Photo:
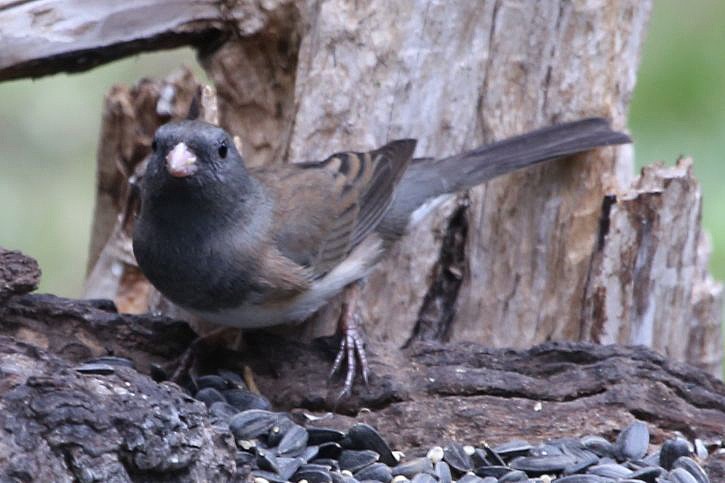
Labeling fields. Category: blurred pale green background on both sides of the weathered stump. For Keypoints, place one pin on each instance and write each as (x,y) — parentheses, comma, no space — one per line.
(49,130)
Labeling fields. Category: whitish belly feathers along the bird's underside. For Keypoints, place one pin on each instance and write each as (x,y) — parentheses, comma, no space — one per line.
(356,266)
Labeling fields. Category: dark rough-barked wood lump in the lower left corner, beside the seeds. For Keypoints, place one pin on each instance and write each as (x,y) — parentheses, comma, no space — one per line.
(61,425)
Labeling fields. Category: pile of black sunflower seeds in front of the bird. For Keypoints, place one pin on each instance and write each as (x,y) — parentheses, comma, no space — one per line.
(272,447)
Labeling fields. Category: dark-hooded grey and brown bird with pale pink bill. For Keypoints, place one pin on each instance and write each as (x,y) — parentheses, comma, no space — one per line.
(256,247)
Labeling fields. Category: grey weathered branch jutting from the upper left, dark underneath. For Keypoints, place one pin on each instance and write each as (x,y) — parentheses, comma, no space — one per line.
(41,37)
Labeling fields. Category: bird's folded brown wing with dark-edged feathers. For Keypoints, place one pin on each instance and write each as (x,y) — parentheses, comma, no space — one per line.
(324,209)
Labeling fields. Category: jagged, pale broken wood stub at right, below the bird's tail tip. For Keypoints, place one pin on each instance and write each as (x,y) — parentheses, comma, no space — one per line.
(648,281)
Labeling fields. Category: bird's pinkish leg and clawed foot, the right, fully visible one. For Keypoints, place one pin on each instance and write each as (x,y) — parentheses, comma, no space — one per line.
(352,346)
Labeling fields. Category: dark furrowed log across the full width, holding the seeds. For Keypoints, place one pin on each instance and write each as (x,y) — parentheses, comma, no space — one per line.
(60,421)
